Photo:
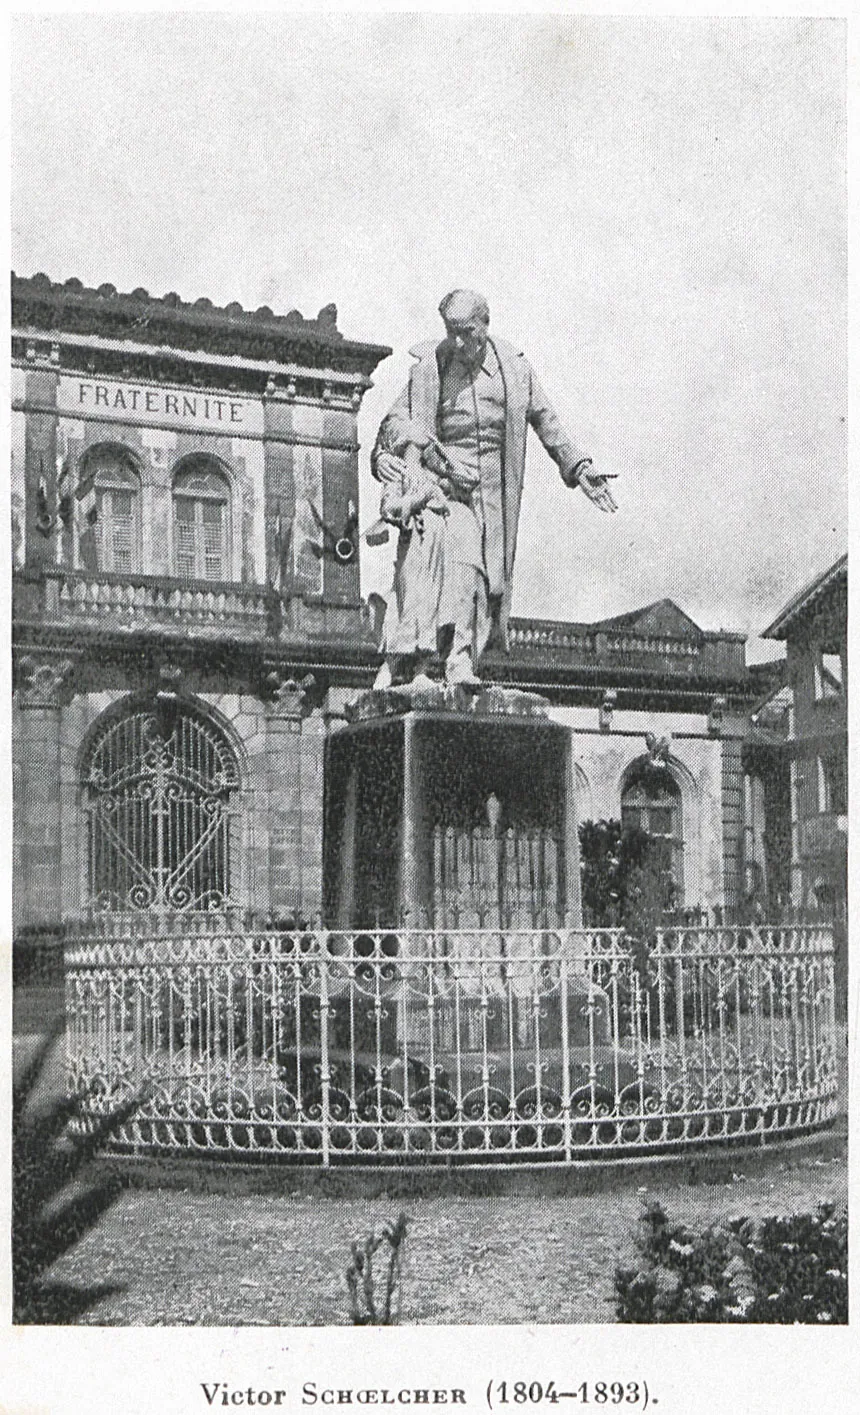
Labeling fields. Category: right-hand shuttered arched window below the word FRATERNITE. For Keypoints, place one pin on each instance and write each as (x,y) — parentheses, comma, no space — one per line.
(202,504)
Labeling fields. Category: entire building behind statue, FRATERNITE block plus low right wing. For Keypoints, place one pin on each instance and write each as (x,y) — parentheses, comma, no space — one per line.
(189,626)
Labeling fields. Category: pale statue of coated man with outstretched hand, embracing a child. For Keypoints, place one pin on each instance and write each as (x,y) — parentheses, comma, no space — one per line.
(452,456)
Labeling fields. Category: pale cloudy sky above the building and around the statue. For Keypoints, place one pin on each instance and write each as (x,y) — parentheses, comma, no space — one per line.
(654,210)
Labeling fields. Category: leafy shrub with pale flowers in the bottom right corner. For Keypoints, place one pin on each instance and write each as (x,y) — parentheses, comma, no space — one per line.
(781,1270)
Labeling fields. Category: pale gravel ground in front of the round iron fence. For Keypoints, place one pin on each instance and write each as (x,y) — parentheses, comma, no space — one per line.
(189,1259)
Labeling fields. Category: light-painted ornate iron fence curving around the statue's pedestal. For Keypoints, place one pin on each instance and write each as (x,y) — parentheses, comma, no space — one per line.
(470,1046)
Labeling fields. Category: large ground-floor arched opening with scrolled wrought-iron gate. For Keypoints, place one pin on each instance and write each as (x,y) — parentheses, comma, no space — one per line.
(159,786)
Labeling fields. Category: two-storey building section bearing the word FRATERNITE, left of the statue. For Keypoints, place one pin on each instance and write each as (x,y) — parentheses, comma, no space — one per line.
(176,473)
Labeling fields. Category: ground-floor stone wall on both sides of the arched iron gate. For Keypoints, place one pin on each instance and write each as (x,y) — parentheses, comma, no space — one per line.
(279,803)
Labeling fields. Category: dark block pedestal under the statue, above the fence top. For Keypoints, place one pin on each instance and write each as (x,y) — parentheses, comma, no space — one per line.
(451,813)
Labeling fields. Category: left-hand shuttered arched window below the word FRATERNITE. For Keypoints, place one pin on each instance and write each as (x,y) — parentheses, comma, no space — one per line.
(112,507)
